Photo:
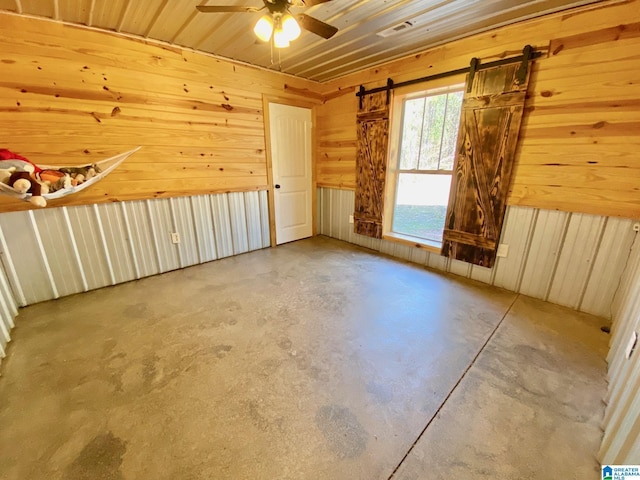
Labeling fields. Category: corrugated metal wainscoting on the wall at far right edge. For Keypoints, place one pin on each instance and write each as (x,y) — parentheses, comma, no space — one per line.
(621,442)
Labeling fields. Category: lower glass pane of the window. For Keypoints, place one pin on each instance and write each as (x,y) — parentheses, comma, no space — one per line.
(421,205)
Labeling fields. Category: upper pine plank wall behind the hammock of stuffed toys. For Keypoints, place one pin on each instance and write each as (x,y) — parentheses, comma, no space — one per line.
(71,95)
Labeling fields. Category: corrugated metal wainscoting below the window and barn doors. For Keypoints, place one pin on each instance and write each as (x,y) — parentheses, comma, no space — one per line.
(569,259)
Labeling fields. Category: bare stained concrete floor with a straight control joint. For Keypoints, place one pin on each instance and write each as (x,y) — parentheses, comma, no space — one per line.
(314,360)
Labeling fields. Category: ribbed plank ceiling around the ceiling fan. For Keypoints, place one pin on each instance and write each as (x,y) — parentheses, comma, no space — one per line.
(356,46)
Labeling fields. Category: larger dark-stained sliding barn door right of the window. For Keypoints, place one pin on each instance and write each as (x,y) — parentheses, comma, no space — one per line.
(489,126)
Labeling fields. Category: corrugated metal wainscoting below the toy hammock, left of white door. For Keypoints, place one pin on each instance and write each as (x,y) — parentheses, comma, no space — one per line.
(54,252)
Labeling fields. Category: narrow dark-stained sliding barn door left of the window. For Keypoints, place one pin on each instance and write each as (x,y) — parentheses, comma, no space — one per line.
(371,163)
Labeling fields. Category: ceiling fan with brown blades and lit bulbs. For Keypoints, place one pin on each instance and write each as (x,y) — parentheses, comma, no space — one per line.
(279,25)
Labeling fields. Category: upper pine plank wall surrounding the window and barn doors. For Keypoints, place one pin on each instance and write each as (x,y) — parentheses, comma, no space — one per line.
(580,139)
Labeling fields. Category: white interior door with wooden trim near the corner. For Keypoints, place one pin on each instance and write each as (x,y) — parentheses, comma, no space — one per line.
(290,129)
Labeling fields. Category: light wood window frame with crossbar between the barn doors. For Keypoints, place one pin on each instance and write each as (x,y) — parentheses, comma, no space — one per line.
(393,170)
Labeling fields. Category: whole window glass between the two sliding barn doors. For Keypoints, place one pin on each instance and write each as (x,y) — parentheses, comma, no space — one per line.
(424,163)
